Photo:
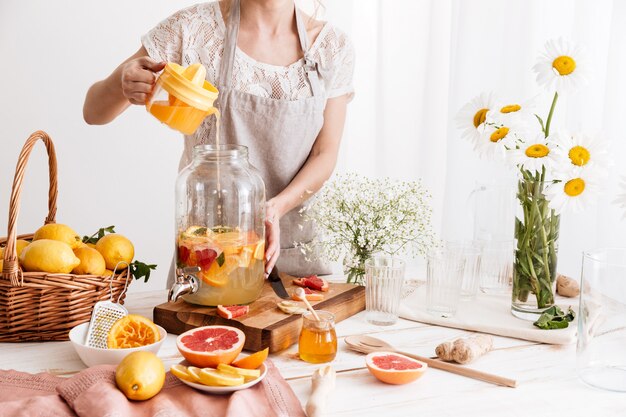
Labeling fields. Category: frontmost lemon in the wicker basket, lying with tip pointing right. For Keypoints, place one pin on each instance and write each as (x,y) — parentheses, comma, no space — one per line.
(46,255)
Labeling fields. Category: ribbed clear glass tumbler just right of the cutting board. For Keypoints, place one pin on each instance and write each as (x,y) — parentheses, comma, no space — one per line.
(384,277)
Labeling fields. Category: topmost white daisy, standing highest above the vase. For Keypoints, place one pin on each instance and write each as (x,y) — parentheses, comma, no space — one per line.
(562,67)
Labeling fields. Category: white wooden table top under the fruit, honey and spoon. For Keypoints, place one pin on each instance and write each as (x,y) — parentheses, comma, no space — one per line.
(547,382)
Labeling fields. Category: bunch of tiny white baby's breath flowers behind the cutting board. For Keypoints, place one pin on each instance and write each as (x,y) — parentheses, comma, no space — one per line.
(357,216)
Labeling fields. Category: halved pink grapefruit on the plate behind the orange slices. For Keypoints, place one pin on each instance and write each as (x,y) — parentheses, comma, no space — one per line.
(211,345)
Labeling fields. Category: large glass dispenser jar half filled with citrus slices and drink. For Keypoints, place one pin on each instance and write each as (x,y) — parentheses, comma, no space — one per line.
(220,212)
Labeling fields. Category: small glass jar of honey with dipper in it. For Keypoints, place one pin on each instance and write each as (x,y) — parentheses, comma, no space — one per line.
(318,340)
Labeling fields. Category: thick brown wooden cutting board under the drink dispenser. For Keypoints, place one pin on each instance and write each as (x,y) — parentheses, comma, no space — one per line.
(265,325)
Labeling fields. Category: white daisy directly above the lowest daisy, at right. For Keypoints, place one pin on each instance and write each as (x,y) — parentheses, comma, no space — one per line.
(582,150)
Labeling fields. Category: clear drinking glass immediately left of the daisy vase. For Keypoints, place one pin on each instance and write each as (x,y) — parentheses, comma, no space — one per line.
(496,266)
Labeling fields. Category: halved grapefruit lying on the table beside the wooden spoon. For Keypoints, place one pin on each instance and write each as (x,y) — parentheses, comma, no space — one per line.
(393,368)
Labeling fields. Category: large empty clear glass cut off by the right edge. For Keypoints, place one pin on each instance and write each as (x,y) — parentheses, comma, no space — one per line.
(601,350)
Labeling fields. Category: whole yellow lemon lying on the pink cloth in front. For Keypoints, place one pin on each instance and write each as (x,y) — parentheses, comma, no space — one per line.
(140,375)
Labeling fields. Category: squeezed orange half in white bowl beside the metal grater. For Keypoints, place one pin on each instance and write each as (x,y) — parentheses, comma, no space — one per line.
(132,331)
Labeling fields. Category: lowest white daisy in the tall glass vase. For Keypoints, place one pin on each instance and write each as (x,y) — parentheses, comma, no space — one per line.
(575,191)
